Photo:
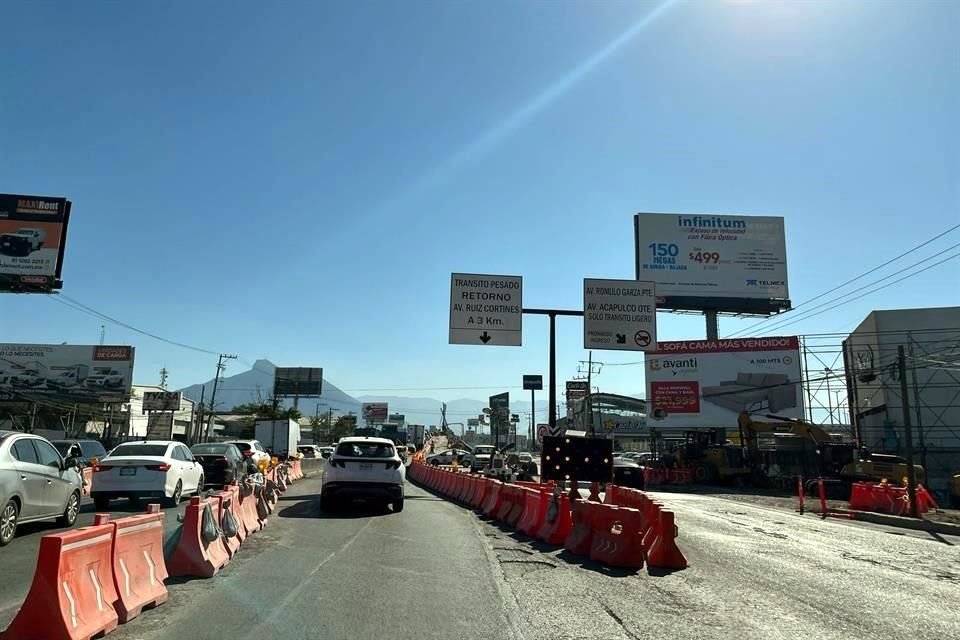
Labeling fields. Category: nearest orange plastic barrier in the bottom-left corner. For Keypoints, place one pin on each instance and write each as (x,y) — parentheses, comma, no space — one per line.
(72,593)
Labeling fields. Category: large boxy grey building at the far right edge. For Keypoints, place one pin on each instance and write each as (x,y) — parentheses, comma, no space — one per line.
(931,342)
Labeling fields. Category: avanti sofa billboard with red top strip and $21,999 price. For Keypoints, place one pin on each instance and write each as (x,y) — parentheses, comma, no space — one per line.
(707,383)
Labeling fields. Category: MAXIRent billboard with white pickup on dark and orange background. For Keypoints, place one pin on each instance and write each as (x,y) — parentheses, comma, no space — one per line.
(33,230)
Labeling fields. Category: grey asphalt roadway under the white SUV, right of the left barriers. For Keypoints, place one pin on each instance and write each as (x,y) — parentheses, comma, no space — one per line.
(437,570)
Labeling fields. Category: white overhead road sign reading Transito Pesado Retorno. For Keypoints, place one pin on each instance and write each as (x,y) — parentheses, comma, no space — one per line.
(486,309)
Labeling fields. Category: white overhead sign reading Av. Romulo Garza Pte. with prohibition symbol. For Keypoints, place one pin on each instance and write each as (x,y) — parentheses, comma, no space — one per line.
(619,314)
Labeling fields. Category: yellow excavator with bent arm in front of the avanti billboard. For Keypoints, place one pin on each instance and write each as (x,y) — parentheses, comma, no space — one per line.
(835,461)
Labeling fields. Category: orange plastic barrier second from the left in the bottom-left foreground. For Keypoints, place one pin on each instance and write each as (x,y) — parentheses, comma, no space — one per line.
(138,565)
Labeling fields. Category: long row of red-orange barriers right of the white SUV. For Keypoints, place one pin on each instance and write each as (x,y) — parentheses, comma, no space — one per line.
(627,531)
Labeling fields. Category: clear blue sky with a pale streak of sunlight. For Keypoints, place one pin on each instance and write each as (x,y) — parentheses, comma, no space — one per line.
(297,181)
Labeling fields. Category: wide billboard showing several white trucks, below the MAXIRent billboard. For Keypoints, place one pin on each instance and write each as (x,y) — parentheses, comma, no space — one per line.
(69,373)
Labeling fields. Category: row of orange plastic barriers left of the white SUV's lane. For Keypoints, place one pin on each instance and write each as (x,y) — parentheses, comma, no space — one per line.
(89,580)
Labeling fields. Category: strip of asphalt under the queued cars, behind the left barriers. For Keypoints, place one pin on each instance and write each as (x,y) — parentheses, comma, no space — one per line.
(19,558)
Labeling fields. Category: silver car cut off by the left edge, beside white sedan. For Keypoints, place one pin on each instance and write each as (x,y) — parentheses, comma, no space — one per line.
(35,483)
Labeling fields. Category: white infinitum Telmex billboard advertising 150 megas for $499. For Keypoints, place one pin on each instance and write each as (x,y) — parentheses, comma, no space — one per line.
(711,262)
